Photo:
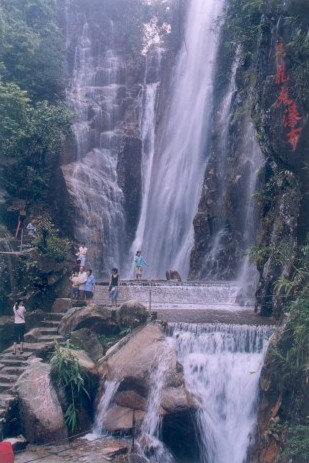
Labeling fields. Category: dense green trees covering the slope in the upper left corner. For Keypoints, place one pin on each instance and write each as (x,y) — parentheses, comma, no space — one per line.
(34,118)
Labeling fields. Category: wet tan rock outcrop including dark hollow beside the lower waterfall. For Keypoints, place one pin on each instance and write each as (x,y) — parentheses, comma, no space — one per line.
(134,366)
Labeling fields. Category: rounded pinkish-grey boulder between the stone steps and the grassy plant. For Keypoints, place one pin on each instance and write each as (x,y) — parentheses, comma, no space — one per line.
(40,411)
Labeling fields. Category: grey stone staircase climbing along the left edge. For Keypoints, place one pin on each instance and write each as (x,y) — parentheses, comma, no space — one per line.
(12,366)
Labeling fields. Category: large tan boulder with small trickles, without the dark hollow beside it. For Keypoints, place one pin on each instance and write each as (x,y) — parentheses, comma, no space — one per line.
(145,361)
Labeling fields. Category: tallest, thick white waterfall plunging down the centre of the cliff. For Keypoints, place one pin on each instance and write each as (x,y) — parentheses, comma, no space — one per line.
(166,234)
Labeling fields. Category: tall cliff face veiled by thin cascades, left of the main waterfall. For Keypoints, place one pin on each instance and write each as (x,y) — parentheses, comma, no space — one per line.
(108,64)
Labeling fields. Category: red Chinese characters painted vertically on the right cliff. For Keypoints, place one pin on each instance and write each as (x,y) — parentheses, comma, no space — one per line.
(291,116)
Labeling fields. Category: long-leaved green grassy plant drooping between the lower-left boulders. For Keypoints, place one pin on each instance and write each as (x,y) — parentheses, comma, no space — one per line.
(67,374)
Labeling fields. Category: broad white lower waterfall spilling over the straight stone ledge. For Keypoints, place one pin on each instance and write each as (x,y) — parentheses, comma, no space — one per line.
(222,365)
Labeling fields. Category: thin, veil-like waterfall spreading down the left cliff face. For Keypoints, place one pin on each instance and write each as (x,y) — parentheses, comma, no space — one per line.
(91,178)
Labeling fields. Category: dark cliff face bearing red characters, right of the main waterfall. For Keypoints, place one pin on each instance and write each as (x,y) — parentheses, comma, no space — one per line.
(261,77)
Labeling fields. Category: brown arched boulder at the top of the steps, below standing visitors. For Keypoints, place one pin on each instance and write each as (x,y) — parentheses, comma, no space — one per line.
(98,319)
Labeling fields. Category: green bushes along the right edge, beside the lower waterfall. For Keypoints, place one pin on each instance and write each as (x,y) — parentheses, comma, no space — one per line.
(292,358)
